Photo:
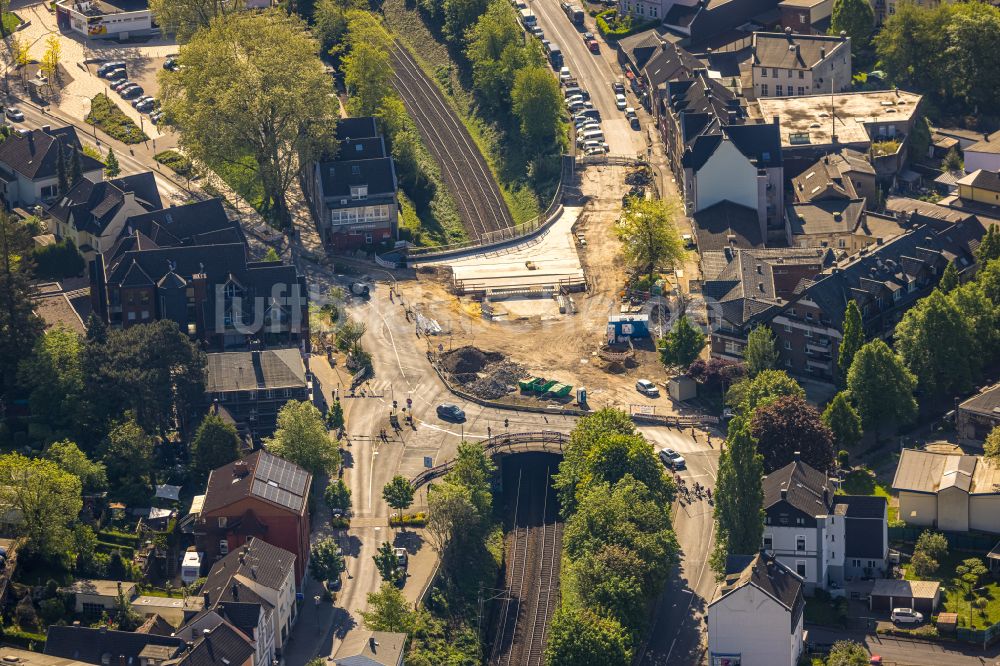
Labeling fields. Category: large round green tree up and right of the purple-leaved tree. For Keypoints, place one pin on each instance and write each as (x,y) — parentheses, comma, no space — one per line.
(880,386)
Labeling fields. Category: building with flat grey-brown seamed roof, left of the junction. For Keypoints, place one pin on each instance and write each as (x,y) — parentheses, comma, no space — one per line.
(254,385)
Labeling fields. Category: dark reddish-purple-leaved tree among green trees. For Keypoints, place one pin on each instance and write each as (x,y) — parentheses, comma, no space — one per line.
(789,425)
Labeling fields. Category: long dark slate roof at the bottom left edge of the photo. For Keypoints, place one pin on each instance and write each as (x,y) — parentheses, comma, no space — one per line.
(90,645)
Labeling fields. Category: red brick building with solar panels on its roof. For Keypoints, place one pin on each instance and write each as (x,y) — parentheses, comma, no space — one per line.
(262,497)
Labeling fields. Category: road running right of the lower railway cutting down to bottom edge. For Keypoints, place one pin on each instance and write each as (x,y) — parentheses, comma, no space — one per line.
(676,634)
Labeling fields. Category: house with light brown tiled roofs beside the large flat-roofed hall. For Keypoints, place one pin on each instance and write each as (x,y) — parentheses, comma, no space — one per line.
(843,175)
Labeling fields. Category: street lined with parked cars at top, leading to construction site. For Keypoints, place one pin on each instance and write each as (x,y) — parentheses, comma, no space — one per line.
(595,72)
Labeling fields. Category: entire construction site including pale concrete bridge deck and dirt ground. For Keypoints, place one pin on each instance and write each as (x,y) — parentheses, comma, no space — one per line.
(552,310)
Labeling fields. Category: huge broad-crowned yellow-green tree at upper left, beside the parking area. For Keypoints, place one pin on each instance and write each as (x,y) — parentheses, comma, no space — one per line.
(253,94)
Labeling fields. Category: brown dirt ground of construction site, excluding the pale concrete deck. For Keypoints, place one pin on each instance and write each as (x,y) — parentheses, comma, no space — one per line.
(529,337)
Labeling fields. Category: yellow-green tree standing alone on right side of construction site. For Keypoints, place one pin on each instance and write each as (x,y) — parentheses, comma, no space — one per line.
(648,235)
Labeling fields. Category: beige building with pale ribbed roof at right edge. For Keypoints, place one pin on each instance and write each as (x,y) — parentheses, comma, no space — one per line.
(951,492)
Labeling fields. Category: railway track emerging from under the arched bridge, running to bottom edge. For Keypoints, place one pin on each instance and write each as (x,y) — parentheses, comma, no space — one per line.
(532,578)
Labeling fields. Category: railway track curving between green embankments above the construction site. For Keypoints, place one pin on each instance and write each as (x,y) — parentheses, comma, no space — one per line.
(463,167)
